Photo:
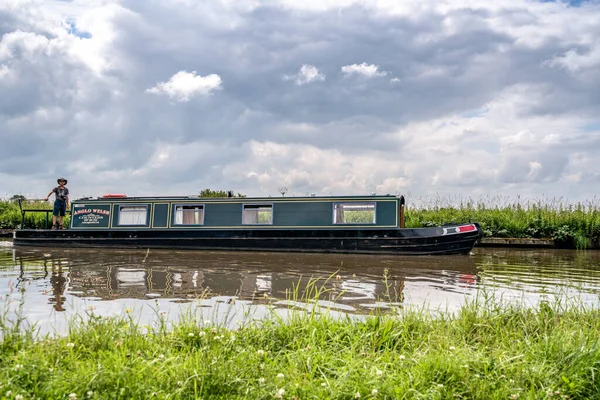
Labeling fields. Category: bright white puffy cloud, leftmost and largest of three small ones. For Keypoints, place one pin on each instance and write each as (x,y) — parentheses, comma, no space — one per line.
(184,85)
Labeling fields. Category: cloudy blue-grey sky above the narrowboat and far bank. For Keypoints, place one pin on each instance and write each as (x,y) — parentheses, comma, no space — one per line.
(427,98)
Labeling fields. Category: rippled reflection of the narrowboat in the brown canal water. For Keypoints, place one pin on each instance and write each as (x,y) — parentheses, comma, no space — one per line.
(352,283)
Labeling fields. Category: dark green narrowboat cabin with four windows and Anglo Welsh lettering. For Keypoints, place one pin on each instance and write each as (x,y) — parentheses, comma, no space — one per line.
(191,212)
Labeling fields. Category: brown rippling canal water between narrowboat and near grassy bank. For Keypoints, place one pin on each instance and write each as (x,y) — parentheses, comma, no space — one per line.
(51,286)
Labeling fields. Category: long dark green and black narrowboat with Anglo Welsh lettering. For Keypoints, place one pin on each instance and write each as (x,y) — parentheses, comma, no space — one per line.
(344,224)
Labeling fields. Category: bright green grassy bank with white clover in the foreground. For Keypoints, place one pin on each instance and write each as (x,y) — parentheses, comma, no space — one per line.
(484,351)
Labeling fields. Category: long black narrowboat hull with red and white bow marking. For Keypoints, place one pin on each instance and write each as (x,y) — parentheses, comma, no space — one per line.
(418,241)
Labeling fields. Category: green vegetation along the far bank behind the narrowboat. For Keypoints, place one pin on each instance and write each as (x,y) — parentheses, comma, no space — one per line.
(570,224)
